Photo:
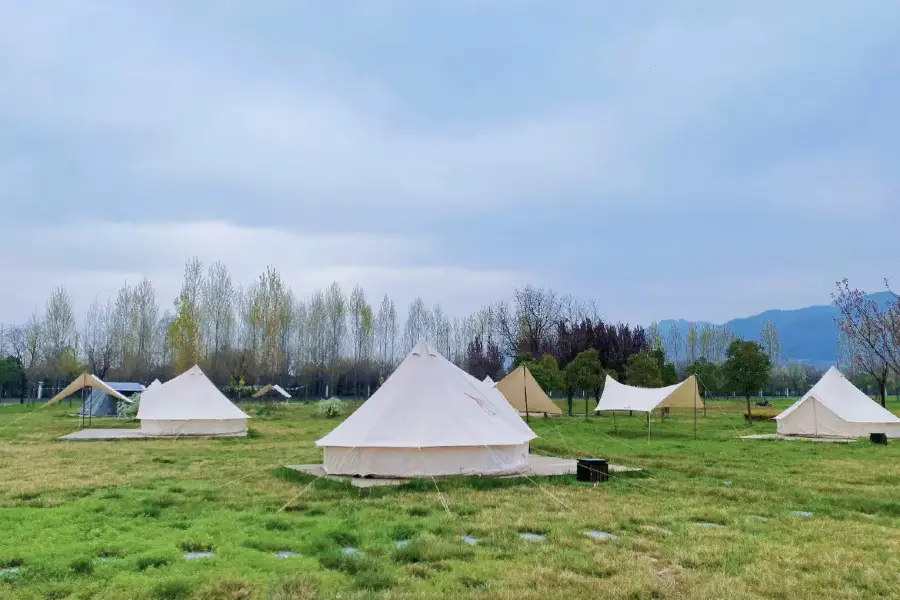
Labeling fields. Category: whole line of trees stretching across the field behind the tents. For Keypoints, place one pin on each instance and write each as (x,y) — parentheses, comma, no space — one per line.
(345,344)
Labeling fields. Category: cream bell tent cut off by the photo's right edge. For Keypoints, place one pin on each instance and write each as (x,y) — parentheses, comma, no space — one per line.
(834,407)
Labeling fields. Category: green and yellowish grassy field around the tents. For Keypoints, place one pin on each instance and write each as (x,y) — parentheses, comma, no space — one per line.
(113,520)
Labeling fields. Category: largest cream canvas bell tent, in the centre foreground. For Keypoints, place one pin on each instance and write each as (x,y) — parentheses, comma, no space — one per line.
(429,418)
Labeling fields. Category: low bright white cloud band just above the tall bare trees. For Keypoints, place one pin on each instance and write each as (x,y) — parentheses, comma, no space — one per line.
(93,260)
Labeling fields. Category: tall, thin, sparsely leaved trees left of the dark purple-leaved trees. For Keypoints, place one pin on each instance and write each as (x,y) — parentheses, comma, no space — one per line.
(265,332)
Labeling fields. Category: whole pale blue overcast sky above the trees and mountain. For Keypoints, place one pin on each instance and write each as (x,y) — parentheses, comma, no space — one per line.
(703,160)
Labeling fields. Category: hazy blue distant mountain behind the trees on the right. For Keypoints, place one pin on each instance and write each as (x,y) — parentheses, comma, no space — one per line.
(806,334)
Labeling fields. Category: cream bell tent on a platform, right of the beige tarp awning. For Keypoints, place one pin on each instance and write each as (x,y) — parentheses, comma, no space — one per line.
(189,404)
